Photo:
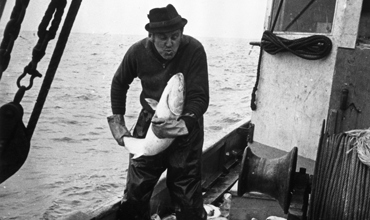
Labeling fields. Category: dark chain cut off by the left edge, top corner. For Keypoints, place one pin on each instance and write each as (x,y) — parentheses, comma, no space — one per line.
(11,33)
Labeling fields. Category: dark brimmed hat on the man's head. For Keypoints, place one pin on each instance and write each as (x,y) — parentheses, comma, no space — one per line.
(164,20)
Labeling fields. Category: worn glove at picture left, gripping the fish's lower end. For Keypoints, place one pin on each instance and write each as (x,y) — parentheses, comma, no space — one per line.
(118,128)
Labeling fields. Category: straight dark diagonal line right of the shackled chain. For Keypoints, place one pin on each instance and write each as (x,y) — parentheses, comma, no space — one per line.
(53,66)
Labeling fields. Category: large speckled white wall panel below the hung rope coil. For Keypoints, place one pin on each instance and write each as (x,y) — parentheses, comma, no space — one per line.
(292,101)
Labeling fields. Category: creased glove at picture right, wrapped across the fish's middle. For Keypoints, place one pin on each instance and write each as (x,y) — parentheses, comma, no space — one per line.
(168,128)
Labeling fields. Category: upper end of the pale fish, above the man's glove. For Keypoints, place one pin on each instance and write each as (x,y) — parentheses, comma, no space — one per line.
(176,96)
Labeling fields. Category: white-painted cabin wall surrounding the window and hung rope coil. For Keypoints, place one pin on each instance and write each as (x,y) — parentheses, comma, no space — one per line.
(294,94)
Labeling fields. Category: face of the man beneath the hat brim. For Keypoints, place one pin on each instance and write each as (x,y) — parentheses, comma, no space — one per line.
(168,43)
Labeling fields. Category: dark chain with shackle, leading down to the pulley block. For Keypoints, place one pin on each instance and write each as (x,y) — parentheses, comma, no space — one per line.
(56,8)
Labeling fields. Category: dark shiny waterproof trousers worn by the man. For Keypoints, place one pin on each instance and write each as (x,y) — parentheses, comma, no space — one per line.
(183,163)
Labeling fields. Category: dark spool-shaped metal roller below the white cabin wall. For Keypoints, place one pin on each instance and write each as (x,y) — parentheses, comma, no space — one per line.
(272,177)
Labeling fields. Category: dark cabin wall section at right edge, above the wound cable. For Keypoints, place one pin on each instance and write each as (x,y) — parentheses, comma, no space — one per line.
(350,111)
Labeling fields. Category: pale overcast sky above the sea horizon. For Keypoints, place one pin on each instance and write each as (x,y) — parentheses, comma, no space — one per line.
(206,18)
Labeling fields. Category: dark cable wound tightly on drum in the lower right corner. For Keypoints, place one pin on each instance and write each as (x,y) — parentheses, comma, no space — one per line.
(341,183)
